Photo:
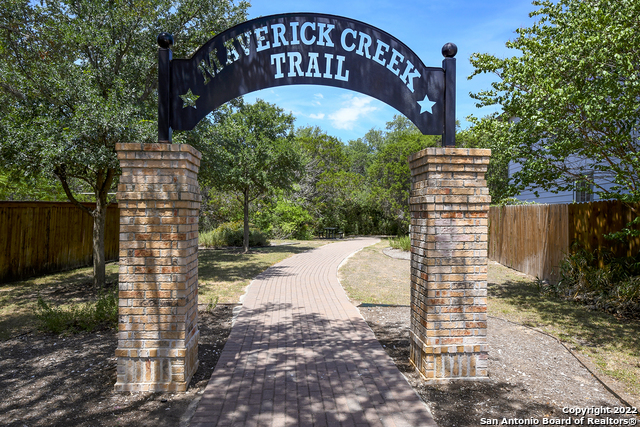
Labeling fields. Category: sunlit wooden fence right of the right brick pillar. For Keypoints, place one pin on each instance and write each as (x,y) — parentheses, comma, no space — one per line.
(534,238)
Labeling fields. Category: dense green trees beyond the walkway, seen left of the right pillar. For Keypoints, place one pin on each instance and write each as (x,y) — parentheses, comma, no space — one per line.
(362,187)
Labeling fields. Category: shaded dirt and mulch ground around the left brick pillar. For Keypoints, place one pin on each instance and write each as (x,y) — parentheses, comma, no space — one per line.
(67,381)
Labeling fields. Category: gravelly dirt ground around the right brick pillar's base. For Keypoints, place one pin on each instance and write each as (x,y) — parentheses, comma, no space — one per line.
(531,375)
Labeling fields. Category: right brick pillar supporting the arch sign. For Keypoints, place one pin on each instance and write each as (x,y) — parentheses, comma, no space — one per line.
(449,216)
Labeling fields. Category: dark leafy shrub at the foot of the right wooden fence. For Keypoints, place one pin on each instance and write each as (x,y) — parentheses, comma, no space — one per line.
(613,286)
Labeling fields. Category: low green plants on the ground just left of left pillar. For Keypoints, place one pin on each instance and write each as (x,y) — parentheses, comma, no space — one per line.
(79,317)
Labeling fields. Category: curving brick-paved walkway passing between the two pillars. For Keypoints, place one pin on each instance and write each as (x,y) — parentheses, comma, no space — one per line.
(300,354)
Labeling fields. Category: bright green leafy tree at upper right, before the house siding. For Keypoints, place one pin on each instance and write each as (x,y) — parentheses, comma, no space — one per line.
(570,98)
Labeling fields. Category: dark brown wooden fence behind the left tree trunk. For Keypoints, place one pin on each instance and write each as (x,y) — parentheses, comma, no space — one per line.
(46,237)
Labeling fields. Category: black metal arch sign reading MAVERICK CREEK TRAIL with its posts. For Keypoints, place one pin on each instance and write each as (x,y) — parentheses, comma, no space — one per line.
(305,48)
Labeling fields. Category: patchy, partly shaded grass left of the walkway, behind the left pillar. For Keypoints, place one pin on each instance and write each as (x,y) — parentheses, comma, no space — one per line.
(69,300)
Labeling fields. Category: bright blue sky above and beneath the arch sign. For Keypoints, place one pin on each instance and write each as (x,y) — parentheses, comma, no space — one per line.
(424,26)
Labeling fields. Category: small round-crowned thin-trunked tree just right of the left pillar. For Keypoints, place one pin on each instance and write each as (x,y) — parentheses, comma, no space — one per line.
(250,151)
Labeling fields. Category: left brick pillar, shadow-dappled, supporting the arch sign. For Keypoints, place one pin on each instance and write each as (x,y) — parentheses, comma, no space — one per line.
(159,201)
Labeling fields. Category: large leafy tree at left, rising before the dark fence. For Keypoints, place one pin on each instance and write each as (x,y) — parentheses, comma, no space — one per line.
(77,77)
